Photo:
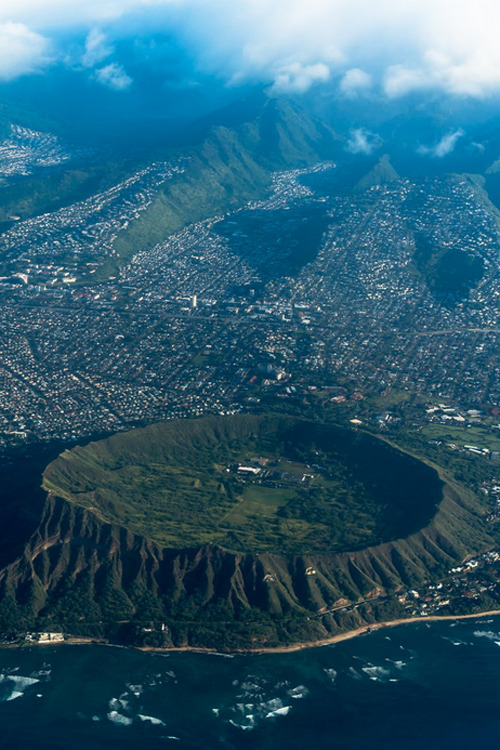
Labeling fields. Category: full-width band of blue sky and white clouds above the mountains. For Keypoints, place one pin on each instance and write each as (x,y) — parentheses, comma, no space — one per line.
(354,48)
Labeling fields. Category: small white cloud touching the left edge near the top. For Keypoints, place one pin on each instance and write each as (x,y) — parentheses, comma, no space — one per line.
(21,51)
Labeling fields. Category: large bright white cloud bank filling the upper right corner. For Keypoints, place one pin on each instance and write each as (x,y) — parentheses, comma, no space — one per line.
(400,46)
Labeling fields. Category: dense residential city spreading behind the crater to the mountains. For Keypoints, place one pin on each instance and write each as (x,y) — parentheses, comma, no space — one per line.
(194,324)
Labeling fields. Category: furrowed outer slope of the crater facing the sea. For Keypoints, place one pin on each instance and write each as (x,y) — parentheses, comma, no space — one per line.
(94,578)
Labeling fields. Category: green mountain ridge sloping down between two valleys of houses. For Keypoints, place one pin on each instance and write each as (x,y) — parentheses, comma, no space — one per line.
(232,166)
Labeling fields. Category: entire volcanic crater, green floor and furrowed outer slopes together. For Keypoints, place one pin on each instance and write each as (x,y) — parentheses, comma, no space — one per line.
(275,568)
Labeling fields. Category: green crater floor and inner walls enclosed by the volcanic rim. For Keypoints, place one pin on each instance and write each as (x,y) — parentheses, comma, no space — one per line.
(251,484)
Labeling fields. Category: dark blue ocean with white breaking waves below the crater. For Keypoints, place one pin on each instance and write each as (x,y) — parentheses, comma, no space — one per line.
(432,686)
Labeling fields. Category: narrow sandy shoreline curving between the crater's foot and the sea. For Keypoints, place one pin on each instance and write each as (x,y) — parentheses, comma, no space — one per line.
(348,635)
